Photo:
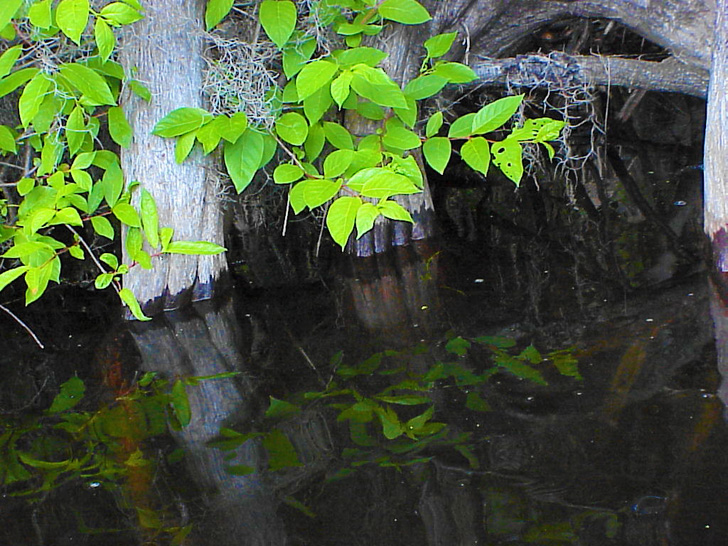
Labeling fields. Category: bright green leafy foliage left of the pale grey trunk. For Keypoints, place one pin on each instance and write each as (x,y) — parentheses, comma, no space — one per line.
(73,182)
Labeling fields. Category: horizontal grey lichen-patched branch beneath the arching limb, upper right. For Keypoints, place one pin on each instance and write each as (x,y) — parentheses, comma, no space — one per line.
(559,70)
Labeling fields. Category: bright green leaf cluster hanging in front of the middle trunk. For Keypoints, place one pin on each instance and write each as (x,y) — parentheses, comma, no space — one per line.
(356,177)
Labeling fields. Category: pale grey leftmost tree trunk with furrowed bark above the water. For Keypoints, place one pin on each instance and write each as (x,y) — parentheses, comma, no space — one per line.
(164,51)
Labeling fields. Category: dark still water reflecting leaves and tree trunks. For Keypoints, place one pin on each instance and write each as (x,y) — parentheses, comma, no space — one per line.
(624,444)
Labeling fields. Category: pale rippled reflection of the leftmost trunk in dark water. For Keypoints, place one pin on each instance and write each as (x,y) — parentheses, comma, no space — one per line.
(242,509)
